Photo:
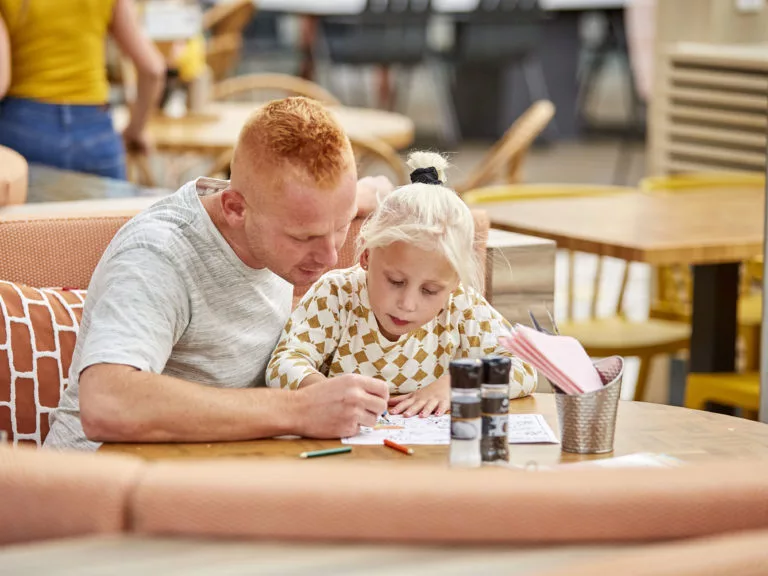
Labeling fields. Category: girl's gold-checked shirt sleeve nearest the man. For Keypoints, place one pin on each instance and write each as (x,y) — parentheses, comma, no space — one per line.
(310,337)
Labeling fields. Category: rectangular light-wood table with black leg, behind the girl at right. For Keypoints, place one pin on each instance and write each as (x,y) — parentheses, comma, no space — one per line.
(712,229)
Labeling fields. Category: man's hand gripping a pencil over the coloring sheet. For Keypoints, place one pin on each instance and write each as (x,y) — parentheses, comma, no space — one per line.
(337,407)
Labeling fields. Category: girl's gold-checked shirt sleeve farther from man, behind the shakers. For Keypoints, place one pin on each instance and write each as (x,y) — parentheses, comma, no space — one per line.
(480,326)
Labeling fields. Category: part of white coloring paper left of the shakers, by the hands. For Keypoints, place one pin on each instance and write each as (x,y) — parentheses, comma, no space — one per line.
(434,430)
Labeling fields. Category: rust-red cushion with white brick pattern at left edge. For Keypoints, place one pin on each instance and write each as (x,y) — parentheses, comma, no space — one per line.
(38,332)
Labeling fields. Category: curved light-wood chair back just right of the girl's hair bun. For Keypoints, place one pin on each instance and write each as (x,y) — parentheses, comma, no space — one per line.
(507,155)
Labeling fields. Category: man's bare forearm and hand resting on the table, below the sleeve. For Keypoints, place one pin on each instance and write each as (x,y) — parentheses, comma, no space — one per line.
(122,404)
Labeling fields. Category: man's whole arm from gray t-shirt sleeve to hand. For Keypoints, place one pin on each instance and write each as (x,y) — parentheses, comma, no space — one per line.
(137,308)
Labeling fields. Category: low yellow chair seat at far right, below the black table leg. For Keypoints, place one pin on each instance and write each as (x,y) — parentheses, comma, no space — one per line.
(738,390)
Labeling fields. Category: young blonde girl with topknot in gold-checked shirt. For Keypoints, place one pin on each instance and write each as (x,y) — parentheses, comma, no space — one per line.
(410,307)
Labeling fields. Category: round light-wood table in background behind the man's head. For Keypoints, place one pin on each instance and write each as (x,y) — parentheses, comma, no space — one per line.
(216,129)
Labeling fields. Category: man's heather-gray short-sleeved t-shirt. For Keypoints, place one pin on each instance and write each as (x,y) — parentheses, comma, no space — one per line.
(170,296)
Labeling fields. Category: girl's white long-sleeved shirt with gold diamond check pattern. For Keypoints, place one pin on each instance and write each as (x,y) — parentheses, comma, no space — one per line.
(334,329)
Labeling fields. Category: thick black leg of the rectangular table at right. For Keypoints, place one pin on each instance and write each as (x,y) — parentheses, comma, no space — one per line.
(715,300)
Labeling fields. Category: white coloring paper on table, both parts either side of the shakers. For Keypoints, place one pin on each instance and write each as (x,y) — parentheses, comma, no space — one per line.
(436,430)
